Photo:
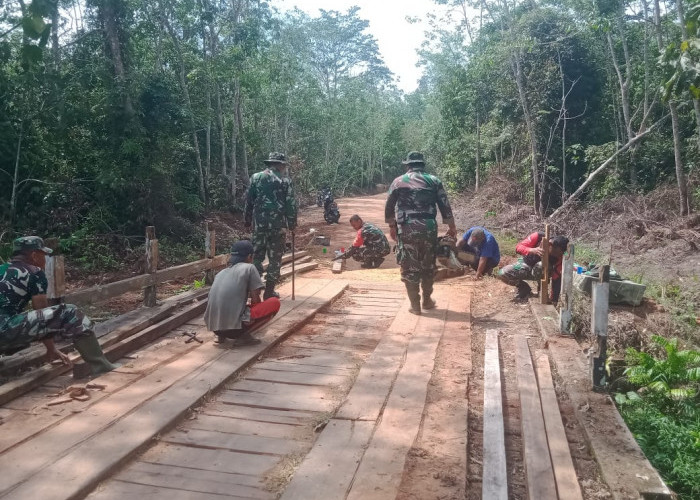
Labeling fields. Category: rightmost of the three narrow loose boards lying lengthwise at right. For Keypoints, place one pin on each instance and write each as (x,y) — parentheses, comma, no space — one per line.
(564,471)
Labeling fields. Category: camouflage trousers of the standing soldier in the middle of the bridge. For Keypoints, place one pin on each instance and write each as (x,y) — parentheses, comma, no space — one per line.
(417,250)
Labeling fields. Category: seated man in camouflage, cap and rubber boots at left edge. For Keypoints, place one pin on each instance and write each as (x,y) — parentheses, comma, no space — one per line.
(22,280)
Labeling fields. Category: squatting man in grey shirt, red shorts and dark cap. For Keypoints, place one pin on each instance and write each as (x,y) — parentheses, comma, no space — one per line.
(228,313)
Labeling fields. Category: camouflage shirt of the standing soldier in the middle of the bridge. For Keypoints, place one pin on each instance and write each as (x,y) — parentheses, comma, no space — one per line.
(414,196)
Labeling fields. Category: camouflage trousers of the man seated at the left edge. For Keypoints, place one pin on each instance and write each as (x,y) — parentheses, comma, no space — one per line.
(64,321)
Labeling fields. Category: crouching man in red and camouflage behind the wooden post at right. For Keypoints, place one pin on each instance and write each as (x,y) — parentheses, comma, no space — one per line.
(529,266)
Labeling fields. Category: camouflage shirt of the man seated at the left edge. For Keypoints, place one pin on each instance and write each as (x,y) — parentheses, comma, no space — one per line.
(19,282)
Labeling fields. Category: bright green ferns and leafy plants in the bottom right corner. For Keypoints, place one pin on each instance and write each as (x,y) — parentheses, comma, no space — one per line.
(663,412)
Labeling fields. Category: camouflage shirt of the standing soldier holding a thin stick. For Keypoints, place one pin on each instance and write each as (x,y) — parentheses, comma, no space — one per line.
(270,203)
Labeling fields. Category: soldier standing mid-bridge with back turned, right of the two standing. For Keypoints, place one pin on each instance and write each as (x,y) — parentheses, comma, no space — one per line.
(411,212)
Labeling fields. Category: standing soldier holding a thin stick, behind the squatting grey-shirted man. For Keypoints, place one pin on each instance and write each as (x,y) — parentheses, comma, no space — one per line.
(271,208)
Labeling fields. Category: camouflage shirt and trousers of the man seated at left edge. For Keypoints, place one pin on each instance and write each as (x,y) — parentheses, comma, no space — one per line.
(19,282)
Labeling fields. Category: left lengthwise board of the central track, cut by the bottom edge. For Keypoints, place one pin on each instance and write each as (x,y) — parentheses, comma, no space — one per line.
(328,470)
